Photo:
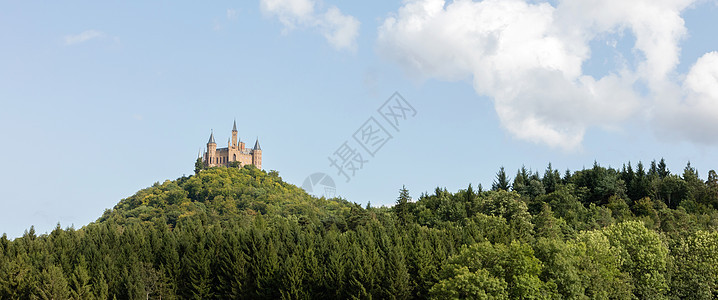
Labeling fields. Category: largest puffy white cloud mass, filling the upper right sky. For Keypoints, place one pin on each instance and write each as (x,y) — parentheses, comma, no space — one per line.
(528,57)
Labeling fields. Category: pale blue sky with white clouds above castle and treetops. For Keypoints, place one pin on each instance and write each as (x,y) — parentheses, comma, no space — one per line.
(101,99)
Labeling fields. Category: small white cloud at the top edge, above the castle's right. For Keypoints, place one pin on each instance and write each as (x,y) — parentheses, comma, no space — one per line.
(340,30)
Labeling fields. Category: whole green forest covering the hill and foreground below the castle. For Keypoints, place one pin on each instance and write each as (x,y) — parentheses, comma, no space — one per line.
(636,232)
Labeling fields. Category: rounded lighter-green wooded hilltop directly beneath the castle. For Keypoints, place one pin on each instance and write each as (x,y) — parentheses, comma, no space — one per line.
(224,194)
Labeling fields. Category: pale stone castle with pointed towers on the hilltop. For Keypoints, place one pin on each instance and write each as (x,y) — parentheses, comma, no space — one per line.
(235,151)
